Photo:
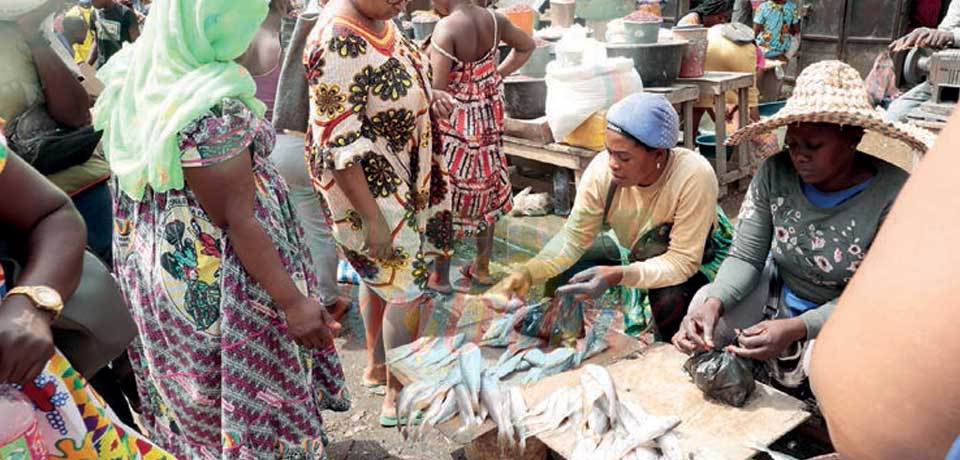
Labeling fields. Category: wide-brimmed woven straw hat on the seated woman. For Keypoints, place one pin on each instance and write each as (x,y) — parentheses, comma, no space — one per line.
(833,92)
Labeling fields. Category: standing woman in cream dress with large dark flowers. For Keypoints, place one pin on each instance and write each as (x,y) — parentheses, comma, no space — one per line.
(369,149)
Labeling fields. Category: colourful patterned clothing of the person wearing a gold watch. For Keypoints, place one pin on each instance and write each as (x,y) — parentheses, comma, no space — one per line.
(73,422)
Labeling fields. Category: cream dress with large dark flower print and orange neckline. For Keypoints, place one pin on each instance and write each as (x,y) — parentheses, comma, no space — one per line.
(369,106)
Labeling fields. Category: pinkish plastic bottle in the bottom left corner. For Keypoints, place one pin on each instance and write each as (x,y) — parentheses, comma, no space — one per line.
(19,432)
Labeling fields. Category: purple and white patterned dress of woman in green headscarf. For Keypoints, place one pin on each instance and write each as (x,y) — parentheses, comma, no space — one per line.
(218,375)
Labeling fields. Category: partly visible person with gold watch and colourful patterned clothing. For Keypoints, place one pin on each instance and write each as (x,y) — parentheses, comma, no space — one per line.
(72,420)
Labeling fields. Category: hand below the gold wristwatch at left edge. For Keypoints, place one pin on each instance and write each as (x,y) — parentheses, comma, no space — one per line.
(26,343)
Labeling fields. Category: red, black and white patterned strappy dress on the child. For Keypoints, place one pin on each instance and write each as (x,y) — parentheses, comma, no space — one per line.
(471,142)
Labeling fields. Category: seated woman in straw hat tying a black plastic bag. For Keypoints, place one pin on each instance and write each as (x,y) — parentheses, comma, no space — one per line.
(815,209)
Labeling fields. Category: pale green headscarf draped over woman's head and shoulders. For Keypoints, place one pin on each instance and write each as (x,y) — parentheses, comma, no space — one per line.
(180,67)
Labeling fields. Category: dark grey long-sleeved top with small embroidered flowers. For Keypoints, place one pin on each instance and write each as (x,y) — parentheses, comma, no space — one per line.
(816,250)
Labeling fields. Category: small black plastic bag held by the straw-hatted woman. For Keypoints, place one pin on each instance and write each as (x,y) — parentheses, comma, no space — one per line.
(722,375)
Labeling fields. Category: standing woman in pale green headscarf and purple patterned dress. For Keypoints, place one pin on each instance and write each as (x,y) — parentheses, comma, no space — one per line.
(235,356)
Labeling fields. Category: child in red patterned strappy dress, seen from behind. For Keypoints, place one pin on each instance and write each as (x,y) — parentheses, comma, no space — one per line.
(463,52)
